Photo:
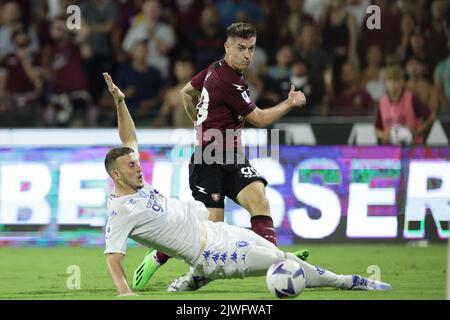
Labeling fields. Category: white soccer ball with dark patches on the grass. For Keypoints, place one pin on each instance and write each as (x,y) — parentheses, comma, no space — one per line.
(286,279)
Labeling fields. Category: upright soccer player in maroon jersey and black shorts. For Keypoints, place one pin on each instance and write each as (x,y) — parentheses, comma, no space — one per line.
(217,101)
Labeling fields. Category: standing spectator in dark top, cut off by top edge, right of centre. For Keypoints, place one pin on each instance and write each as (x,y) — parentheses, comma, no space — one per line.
(339,34)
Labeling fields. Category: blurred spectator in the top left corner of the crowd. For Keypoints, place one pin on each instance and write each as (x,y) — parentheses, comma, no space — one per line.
(11,20)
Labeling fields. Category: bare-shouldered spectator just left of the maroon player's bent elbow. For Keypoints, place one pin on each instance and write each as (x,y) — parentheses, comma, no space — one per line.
(172,113)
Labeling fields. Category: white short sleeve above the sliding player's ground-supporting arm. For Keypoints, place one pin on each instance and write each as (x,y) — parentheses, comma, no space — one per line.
(117,231)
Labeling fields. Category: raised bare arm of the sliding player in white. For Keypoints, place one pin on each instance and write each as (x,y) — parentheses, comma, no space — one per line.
(127,130)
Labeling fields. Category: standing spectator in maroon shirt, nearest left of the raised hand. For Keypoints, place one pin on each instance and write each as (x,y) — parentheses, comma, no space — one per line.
(70,103)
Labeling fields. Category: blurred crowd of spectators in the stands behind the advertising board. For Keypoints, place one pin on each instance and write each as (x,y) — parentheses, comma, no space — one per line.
(51,75)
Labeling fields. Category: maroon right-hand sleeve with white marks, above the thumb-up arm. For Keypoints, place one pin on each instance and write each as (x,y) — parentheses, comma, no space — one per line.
(237,97)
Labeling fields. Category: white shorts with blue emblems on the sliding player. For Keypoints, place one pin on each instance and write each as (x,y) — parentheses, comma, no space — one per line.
(226,250)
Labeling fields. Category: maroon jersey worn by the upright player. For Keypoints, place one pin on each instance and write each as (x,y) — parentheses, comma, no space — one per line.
(223,104)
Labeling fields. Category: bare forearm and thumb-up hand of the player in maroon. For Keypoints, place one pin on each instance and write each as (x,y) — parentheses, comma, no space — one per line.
(262,118)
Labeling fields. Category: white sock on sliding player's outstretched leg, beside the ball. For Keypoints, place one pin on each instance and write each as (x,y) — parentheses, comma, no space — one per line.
(319,277)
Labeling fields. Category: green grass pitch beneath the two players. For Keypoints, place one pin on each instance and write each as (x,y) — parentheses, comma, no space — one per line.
(40,273)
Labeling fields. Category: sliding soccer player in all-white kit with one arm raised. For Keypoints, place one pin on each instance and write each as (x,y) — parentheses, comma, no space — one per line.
(214,250)
